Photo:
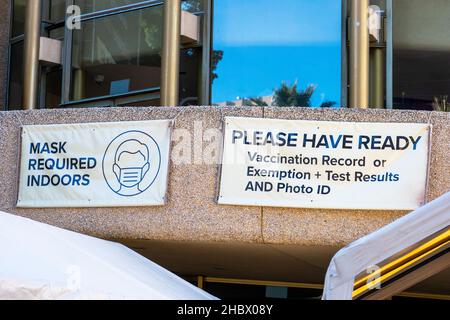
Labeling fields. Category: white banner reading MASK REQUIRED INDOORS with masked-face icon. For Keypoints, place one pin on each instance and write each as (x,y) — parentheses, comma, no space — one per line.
(94,165)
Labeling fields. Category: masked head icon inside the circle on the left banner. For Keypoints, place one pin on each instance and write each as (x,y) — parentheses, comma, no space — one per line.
(131,165)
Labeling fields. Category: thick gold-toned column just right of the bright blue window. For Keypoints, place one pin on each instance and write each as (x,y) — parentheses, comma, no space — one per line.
(359,54)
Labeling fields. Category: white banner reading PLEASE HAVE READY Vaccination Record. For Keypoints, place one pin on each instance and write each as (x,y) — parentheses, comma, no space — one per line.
(331,165)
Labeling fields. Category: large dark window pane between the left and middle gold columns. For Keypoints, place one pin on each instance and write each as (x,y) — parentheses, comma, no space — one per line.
(117,54)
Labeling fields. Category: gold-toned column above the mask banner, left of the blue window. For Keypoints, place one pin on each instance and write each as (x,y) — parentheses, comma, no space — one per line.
(171,53)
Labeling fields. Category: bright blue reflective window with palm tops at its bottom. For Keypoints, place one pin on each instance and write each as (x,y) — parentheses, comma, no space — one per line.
(284,52)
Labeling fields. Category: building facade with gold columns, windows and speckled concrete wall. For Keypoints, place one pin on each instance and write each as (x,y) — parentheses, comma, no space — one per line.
(72,61)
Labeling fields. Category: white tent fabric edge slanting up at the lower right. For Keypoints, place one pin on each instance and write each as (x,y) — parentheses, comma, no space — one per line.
(383,244)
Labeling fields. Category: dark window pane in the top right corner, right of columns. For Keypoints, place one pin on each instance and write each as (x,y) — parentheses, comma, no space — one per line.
(421,42)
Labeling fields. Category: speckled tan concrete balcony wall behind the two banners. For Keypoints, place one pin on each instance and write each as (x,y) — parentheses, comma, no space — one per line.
(191,213)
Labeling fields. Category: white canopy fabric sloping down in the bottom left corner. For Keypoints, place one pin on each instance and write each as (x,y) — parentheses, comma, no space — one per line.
(38,261)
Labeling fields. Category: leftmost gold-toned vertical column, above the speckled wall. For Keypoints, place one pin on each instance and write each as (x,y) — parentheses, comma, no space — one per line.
(31,53)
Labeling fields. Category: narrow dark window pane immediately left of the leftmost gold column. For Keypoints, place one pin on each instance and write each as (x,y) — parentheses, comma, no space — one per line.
(16,77)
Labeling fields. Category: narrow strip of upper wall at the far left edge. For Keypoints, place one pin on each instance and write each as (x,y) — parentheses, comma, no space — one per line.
(4,47)
